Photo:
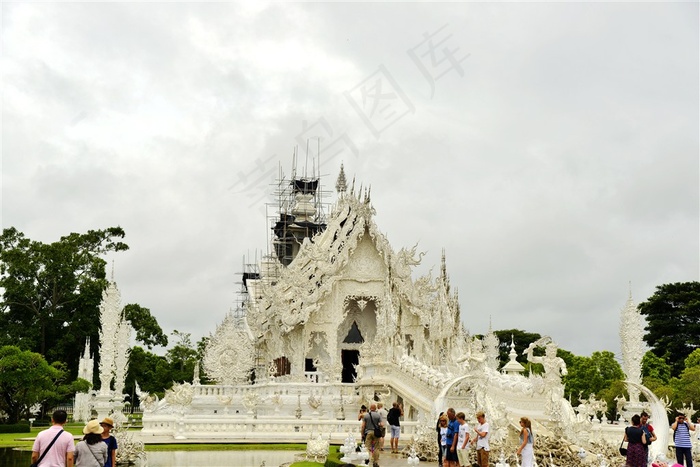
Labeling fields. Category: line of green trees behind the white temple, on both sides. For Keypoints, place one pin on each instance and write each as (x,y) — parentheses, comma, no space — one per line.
(51,294)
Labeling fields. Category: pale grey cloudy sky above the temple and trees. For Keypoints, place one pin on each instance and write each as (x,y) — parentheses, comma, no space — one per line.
(550,148)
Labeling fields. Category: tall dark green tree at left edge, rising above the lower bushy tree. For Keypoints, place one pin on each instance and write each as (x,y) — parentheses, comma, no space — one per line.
(51,292)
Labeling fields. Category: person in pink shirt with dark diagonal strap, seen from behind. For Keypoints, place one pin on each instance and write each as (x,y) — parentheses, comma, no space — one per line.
(54,446)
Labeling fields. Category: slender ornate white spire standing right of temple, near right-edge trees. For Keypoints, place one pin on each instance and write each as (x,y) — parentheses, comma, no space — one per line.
(631,333)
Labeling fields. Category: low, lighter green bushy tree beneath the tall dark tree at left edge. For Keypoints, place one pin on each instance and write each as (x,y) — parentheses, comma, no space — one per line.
(27,379)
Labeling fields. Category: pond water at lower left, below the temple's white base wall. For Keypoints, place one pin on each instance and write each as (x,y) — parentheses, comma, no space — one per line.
(14,458)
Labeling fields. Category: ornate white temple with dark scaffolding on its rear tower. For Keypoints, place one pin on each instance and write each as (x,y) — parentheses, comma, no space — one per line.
(334,319)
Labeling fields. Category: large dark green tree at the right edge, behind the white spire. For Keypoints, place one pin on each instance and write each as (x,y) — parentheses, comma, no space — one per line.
(673,322)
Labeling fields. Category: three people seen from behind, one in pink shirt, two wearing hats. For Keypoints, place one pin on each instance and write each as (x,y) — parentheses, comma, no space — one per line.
(54,446)
